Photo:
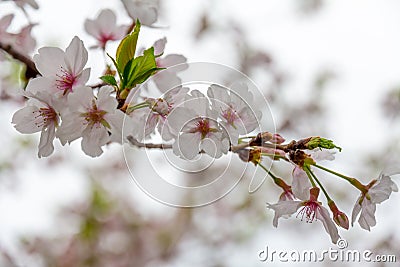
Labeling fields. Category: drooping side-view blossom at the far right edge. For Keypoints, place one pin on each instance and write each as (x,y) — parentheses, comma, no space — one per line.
(378,190)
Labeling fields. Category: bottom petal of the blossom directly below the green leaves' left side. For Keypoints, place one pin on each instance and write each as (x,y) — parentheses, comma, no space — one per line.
(93,139)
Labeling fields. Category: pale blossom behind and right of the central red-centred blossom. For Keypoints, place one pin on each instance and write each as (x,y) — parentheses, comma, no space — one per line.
(234,109)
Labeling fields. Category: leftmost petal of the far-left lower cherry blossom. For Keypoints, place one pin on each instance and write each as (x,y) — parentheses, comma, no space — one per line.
(24,120)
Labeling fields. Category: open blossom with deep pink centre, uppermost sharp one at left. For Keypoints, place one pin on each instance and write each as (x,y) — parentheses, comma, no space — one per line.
(61,71)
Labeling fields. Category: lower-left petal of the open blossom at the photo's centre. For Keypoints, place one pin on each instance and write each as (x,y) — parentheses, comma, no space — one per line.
(187,145)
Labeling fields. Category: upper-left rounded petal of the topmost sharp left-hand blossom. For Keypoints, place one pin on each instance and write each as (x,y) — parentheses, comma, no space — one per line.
(49,60)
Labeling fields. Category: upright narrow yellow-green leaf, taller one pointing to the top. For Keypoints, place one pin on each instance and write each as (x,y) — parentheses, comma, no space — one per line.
(127,48)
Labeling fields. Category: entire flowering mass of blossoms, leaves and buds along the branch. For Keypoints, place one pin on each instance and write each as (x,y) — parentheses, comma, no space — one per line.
(216,120)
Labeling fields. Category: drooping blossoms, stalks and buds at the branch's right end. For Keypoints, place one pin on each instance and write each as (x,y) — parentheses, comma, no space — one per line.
(302,196)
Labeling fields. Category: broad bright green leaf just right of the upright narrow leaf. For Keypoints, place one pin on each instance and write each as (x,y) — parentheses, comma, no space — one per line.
(139,69)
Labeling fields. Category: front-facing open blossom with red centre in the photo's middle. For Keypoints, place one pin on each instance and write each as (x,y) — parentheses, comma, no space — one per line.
(198,128)
